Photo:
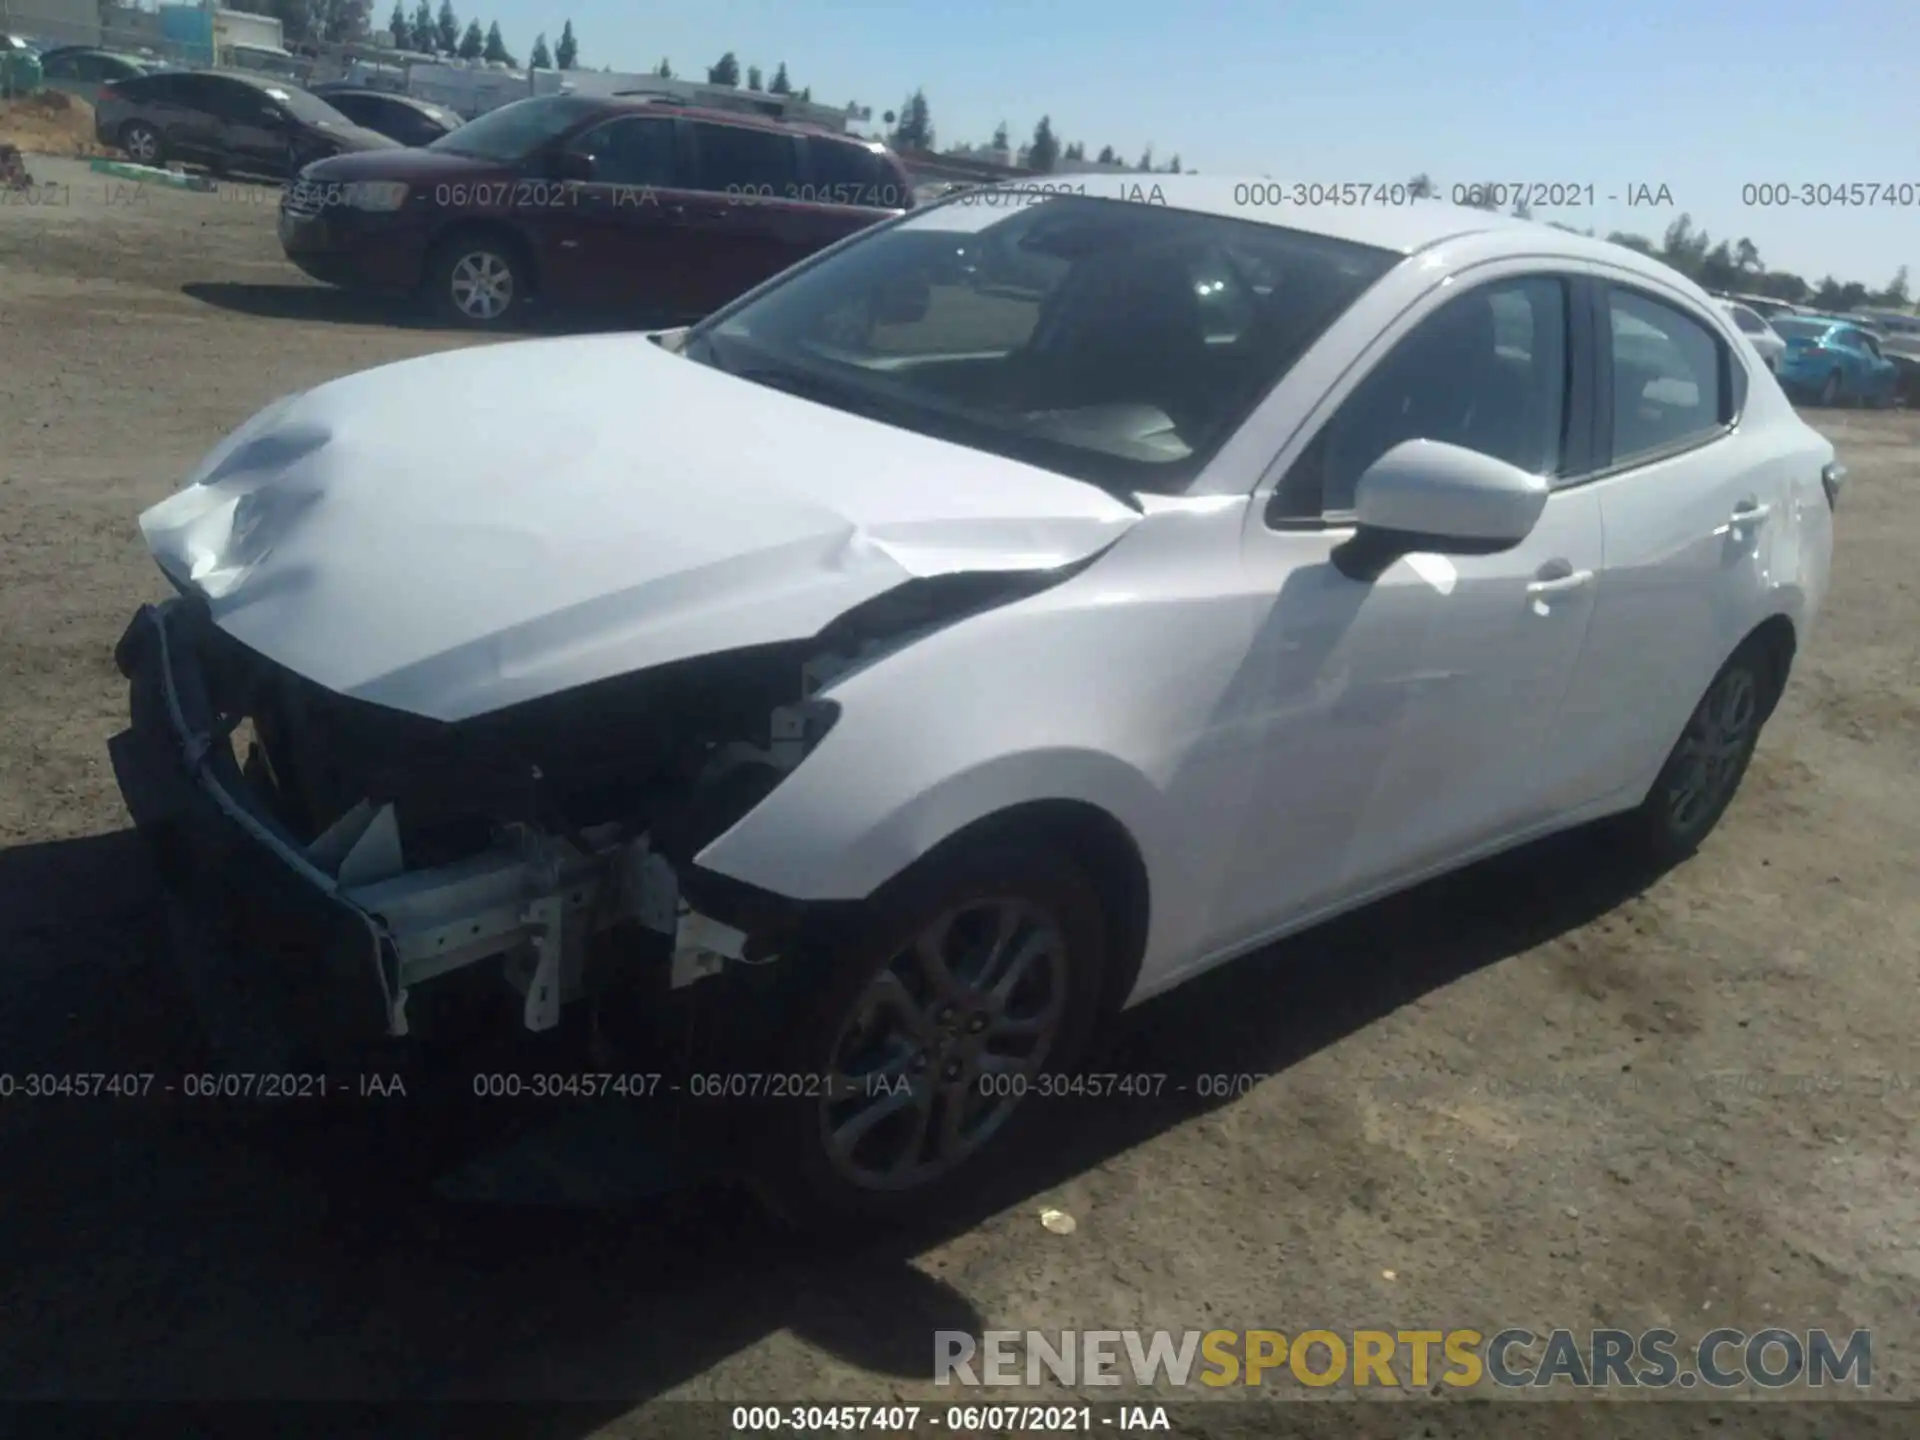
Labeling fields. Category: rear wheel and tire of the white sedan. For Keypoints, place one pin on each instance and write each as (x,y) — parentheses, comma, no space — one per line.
(1708,763)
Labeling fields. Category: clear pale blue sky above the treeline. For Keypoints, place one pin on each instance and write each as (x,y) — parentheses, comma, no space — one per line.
(1702,97)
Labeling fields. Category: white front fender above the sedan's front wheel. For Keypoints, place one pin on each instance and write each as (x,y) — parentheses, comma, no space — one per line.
(1115,690)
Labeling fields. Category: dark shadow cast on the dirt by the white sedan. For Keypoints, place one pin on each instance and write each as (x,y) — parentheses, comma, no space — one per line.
(162,1249)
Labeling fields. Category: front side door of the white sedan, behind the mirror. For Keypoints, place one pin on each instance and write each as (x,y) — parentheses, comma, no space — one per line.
(1404,717)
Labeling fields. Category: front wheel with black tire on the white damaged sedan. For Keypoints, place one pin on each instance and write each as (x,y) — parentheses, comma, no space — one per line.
(869,976)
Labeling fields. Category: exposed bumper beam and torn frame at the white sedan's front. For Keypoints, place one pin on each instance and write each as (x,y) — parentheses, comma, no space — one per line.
(327,940)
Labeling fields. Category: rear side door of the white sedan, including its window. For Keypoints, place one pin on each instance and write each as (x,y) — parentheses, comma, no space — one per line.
(1689,504)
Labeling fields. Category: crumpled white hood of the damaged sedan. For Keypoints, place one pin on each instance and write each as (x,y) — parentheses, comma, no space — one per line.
(468,531)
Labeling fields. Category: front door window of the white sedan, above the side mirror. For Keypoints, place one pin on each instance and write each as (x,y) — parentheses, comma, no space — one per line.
(1487,372)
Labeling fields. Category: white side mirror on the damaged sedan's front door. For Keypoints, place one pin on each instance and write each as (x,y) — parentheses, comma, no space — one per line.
(1429,496)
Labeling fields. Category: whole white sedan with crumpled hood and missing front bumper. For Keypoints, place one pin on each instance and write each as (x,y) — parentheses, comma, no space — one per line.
(990,623)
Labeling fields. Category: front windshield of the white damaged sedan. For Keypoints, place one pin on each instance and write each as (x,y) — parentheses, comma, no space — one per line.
(1111,341)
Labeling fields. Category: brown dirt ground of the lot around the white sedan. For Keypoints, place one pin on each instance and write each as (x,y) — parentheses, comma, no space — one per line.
(1531,1095)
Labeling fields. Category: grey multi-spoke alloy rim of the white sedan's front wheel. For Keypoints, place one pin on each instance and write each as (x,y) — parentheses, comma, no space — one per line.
(944,1044)
